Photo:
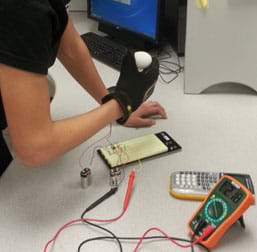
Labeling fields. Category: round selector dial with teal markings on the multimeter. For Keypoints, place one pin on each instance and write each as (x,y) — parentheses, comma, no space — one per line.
(216,210)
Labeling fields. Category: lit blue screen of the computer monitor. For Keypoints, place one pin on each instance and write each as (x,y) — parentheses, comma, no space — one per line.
(140,16)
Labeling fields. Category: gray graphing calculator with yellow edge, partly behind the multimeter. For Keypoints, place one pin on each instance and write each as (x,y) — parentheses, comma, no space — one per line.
(195,185)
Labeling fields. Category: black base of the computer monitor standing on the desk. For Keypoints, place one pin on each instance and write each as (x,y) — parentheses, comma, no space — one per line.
(126,38)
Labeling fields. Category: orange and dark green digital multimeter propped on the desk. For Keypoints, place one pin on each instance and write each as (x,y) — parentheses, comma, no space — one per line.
(223,206)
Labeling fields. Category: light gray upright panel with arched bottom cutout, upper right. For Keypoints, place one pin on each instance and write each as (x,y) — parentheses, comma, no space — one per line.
(221,44)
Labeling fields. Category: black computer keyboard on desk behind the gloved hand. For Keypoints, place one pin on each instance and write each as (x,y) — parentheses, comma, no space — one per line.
(104,49)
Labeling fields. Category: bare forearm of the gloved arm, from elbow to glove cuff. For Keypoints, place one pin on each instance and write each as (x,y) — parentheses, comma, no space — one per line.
(61,136)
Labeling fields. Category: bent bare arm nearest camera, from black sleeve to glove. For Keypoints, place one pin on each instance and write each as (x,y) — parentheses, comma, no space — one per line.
(37,139)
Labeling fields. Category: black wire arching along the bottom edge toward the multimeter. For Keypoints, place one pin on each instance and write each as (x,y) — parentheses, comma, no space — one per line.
(136,238)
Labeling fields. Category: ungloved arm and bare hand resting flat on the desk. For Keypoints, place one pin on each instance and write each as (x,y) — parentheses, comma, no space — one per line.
(76,58)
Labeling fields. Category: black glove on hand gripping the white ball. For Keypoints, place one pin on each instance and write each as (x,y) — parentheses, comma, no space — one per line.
(133,86)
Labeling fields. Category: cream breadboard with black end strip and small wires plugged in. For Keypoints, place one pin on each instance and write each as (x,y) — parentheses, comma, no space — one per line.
(138,148)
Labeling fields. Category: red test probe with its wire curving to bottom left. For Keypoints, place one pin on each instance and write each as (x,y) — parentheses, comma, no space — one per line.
(125,205)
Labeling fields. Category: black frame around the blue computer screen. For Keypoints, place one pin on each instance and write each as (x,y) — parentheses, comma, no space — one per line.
(131,32)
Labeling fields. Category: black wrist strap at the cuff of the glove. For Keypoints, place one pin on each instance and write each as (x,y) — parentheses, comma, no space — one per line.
(124,103)
